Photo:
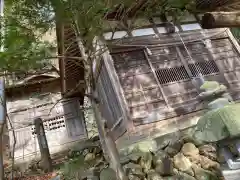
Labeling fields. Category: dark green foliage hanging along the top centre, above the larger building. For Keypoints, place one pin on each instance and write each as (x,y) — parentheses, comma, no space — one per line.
(88,15)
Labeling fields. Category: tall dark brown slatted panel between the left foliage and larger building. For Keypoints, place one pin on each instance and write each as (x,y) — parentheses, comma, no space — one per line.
(71,66)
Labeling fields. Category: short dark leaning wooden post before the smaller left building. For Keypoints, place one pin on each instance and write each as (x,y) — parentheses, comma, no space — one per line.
(43,146)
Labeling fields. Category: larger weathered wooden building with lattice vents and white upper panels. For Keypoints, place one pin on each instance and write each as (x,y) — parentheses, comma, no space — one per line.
(148,76)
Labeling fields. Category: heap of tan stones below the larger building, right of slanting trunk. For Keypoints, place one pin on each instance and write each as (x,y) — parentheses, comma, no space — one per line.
(178,158)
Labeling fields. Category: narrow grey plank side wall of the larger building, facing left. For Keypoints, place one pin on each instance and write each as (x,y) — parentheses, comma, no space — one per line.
(110,102)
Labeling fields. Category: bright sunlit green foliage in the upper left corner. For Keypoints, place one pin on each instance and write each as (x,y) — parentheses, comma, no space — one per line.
(25,23)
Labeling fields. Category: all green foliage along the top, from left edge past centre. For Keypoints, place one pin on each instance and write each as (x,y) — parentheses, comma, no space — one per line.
(26,21)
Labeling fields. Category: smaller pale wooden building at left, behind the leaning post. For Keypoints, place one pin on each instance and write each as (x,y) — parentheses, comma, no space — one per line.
(40,96)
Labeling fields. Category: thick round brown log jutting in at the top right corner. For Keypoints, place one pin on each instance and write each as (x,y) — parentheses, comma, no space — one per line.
(220,19)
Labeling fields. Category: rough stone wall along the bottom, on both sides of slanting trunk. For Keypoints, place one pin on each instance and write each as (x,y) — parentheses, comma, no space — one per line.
(175,156)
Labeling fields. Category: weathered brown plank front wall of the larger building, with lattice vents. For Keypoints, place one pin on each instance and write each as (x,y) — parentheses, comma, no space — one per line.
(145,94)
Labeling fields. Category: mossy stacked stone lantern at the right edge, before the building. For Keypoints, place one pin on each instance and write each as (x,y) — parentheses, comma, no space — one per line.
(221,124)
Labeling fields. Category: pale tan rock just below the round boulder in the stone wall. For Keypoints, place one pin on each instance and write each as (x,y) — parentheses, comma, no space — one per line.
(183,164)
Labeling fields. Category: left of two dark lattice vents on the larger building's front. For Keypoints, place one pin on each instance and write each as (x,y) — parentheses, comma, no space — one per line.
(168,75)
